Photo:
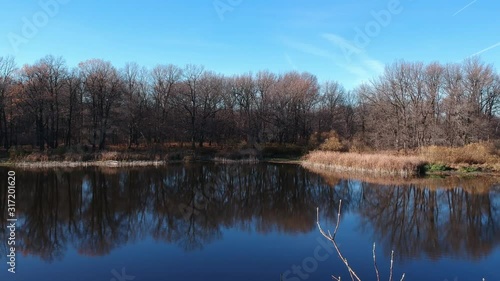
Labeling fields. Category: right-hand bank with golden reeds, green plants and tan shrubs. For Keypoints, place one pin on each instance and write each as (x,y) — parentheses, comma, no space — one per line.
(473,158)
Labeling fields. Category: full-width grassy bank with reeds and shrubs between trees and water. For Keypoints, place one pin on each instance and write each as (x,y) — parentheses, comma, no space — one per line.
(472,158)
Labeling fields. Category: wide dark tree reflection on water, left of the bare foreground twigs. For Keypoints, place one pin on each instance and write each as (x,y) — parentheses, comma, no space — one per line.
(96,210)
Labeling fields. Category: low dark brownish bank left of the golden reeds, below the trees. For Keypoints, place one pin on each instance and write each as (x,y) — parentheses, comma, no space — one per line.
(118,156)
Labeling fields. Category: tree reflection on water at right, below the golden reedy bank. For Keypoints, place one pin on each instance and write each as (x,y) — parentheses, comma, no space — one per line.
(443,222)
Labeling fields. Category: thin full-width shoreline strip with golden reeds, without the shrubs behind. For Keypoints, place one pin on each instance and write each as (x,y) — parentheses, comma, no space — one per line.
(380,164)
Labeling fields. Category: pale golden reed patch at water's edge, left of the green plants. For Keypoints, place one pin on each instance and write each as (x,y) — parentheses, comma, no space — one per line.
(380,164)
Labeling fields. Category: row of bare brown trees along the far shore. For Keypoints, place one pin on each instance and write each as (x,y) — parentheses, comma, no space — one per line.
(48,104)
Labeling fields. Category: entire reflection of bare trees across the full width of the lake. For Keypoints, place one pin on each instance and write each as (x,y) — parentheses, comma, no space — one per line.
(96,210)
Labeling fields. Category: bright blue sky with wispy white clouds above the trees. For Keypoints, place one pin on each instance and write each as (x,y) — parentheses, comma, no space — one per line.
(342,40)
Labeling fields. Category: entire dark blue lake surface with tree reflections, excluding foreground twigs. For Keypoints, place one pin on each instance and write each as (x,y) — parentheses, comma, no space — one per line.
(242,222)
